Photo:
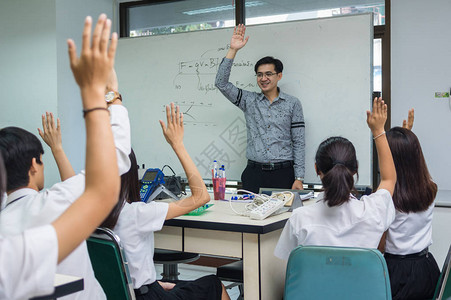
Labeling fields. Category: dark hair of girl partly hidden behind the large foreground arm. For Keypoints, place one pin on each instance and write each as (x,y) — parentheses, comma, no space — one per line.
(130,187)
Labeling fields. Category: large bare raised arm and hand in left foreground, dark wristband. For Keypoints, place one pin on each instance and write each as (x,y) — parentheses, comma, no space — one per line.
(91,71)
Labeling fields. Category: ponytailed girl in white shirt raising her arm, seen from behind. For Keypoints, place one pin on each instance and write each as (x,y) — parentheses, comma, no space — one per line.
(338,218)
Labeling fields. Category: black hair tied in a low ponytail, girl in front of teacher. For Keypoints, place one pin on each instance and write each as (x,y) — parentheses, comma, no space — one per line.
(337,161)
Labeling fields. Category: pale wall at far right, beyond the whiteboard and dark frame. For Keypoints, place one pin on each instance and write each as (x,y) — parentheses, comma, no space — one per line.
(421,65)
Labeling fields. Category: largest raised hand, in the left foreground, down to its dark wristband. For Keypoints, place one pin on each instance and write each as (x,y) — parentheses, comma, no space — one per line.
(94,66)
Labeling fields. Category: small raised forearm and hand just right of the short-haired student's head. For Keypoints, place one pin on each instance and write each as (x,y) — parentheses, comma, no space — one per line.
(51,135)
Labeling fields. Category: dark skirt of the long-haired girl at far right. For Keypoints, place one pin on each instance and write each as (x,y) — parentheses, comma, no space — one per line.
(412,277)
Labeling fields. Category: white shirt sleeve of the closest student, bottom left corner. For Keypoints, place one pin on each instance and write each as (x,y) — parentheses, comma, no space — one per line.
(28,263)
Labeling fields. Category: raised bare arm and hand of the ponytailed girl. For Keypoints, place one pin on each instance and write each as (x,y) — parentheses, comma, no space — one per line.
(376,121)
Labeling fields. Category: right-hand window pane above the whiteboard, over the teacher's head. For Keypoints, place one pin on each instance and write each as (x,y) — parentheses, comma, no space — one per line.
(270,11)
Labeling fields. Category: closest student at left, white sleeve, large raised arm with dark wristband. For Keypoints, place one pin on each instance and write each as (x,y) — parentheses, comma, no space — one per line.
(28,260)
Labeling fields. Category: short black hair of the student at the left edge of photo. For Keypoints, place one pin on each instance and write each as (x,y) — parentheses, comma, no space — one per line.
(18,148)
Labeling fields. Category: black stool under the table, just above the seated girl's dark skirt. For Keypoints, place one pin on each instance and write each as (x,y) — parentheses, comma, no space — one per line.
(170,260)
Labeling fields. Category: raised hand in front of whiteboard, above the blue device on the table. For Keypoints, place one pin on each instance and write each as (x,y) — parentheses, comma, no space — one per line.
(173,132)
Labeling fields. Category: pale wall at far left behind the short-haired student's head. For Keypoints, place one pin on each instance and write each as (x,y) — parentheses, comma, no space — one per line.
(28,72)
